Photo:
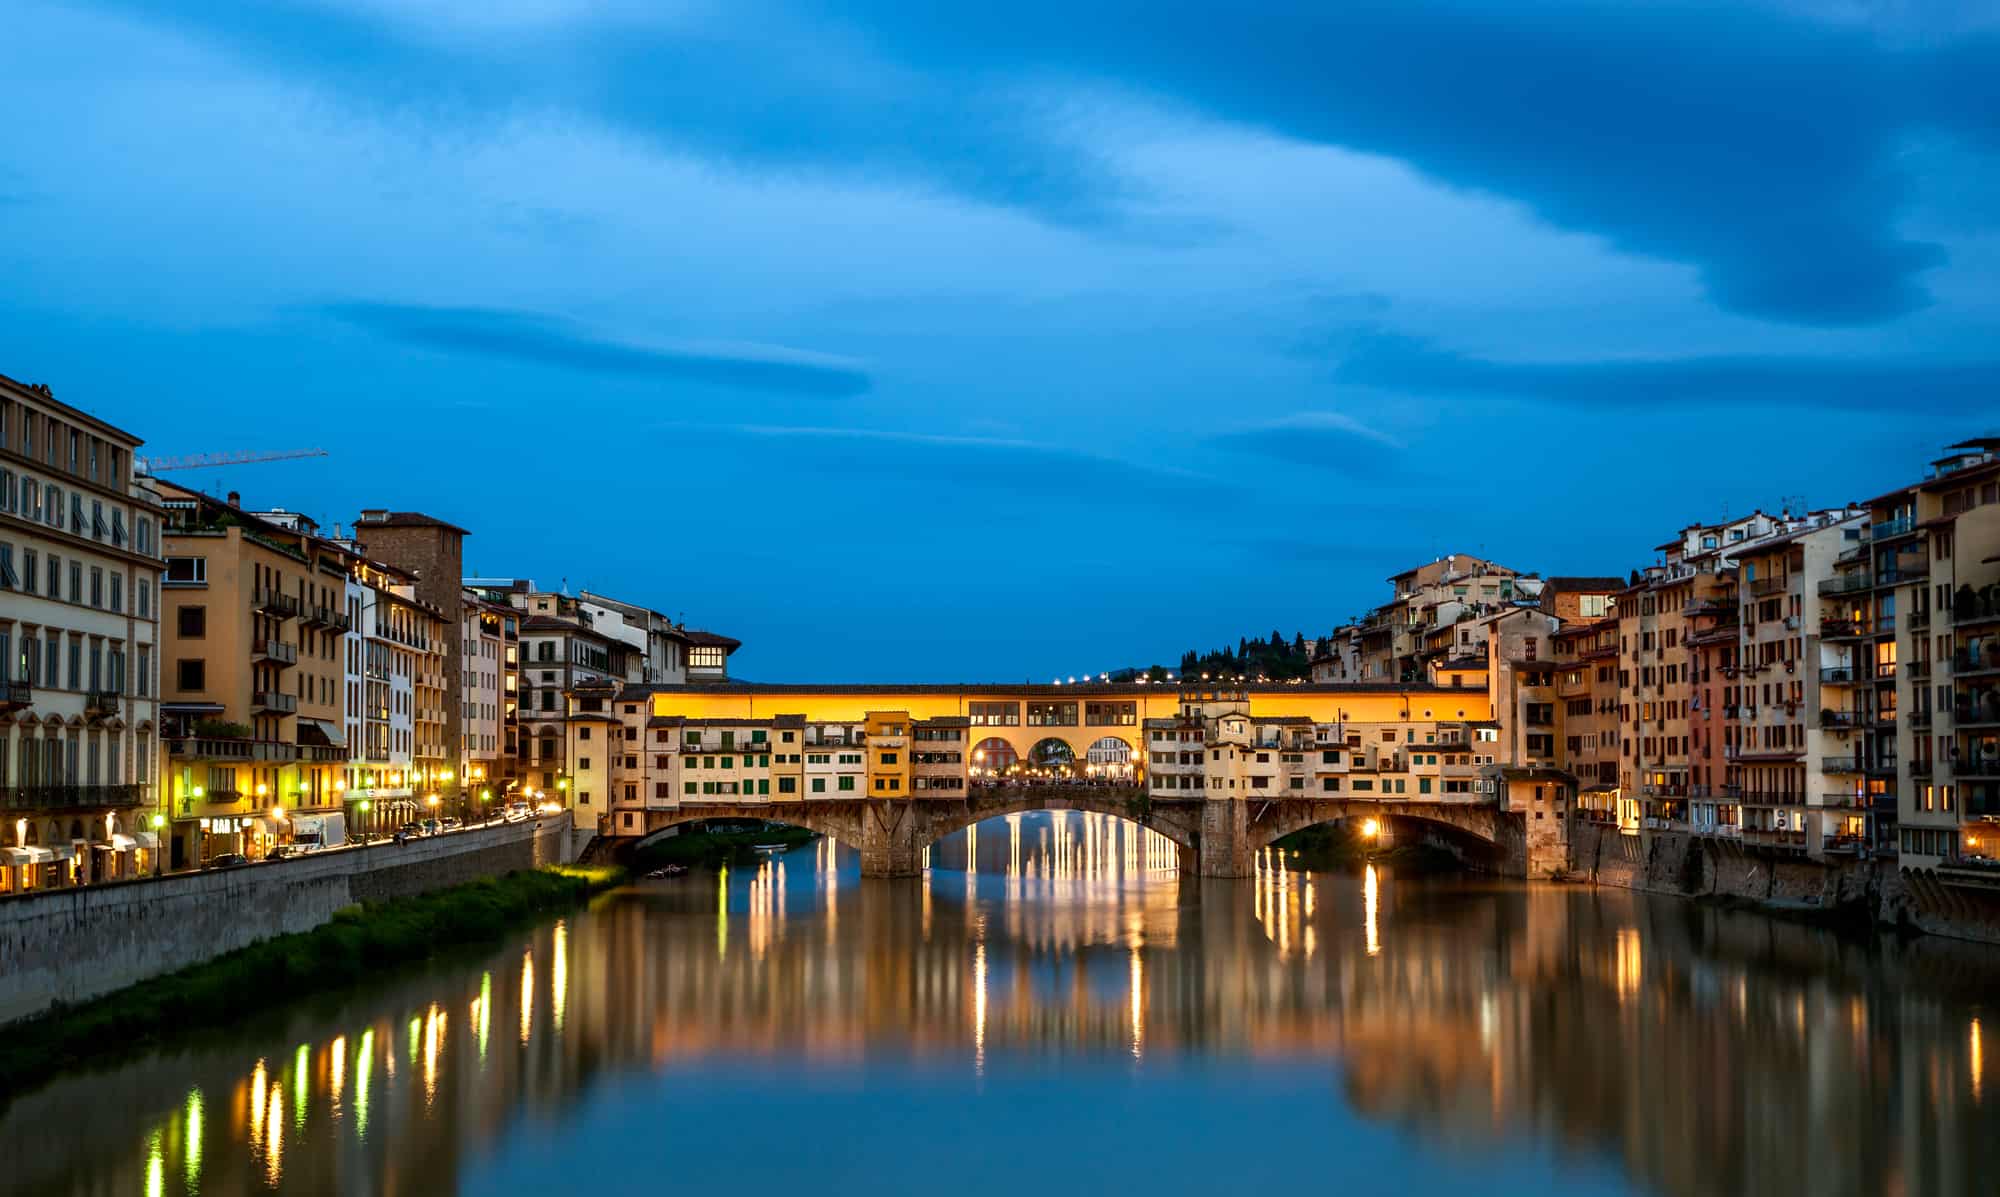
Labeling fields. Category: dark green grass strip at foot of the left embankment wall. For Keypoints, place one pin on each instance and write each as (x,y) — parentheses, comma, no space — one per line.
(349,948)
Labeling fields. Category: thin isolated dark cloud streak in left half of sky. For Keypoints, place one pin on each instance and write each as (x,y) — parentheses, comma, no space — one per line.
(547,341)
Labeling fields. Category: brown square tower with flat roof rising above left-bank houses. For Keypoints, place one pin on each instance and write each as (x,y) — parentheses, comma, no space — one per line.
(431,553)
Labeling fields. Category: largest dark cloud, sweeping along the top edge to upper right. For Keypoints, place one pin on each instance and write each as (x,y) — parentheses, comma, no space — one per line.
(1749,143)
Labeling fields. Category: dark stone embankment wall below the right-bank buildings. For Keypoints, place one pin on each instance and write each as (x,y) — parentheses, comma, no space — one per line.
(1705,868)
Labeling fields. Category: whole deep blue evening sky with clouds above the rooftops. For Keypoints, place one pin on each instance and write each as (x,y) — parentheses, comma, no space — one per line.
(973,341)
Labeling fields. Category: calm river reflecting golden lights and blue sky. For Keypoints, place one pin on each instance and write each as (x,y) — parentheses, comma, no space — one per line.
(1073,1016)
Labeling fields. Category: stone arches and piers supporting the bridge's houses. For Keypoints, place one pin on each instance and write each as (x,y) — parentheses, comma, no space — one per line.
(1217,838)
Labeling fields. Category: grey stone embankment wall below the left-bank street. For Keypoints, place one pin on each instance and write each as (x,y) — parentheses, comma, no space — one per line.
(71,946)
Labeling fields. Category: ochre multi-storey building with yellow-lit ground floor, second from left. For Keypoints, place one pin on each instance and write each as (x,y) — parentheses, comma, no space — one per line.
(253,684)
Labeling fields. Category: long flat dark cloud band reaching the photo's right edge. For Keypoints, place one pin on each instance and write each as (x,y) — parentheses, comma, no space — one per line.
(1937,387)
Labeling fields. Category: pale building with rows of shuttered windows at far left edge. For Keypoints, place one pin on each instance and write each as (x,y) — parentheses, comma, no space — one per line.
(79,648)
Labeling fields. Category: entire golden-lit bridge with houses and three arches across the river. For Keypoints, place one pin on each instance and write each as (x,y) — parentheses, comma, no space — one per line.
(1221,772)
